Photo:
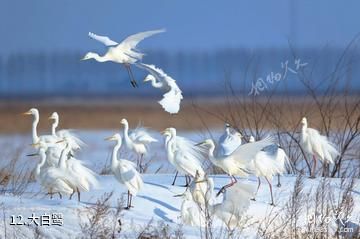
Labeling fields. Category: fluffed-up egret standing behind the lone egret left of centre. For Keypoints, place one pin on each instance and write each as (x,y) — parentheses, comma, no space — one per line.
(137,141)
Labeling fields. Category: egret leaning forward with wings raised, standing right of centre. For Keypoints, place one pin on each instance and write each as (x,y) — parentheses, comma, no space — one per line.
(237,163)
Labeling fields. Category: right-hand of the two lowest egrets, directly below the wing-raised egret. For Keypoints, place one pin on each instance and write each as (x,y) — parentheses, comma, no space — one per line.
(236,201)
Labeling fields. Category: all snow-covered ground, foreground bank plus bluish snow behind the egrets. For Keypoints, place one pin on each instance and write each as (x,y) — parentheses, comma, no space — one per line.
(155,202)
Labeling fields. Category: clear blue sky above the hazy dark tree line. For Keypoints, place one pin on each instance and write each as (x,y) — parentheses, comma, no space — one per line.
(42,25)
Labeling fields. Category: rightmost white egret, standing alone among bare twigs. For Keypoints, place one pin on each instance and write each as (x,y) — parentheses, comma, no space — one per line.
(317,145)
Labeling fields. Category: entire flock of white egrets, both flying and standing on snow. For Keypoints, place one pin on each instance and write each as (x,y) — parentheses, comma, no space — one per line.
(60,172)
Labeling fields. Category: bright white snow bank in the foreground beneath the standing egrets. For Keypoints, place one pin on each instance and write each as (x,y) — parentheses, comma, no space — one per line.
(156,201)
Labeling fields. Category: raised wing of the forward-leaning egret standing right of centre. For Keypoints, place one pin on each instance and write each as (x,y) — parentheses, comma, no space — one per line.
(247,152)
